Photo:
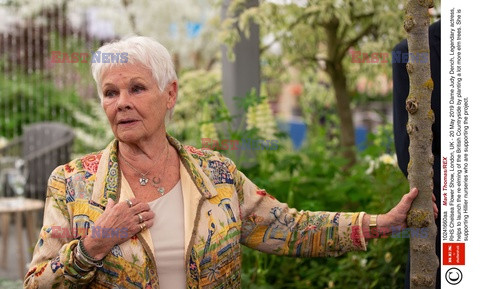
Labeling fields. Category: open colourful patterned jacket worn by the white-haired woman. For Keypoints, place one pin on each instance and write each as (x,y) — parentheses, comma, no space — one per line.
(223,210)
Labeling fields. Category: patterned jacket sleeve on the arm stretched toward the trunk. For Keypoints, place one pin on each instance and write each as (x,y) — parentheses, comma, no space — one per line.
(272,227)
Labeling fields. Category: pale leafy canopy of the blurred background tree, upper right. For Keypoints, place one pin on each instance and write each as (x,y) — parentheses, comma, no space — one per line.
(301,32)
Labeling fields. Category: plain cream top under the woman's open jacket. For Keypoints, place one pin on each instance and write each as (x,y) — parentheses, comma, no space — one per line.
(169,238)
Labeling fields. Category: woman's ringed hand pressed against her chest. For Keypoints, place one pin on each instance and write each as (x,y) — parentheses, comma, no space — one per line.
(121,219)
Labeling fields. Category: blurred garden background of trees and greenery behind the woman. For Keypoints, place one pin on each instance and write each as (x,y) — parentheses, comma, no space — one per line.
(284,71)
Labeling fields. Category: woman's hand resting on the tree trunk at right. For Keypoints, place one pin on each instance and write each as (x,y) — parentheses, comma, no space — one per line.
(397,217)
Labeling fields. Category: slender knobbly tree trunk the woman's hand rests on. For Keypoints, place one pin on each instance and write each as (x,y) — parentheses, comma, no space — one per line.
(423,260)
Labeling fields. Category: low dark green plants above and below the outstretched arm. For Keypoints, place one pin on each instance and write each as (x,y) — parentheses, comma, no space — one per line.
(312,179)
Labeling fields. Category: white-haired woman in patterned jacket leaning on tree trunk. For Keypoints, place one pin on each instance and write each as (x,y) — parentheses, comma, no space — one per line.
(150,212)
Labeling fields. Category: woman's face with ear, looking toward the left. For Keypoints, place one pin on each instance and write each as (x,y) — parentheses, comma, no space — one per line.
(133,103)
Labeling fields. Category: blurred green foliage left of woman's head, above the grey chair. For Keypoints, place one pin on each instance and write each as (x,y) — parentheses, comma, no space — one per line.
(34,98)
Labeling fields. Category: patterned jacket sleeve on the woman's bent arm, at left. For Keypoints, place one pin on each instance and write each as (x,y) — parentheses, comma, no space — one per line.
(52,263)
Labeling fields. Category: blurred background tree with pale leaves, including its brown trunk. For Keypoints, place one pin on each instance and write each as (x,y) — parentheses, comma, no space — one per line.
(315,38)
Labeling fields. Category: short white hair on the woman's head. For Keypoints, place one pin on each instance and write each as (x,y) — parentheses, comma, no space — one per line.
(140,50)
